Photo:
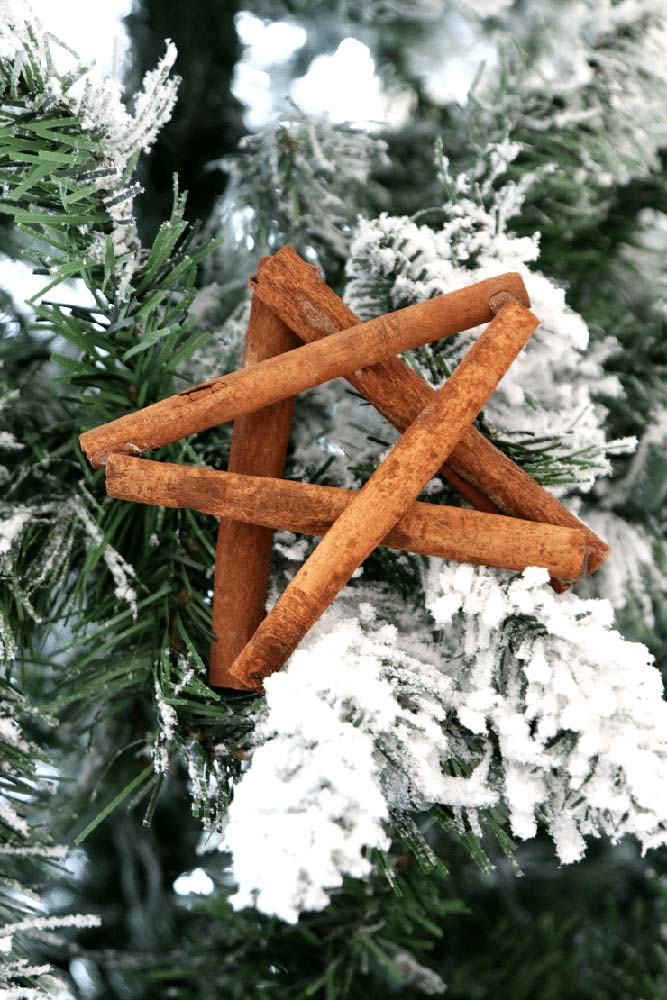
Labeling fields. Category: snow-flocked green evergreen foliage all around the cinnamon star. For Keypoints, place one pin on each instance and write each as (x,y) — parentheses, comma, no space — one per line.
(434,682)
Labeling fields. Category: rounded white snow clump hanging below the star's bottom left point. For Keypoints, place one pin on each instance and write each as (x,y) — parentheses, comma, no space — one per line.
(310,805)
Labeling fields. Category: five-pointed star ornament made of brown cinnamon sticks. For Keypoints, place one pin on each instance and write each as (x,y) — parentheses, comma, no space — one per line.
(301,334)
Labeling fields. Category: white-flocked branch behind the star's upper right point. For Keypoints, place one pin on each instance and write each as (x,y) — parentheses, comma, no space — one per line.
(547,392)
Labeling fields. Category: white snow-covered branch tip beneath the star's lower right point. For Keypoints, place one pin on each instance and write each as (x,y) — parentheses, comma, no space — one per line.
(575,710)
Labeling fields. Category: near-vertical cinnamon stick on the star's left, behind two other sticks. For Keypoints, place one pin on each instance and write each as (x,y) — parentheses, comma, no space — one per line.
(243,550)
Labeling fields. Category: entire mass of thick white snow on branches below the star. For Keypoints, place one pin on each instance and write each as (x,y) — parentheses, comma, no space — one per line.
(528,699)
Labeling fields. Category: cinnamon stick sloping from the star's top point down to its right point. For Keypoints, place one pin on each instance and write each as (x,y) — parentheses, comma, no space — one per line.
(486,477)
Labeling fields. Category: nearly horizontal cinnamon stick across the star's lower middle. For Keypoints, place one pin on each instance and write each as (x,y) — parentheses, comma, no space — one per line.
(430,529)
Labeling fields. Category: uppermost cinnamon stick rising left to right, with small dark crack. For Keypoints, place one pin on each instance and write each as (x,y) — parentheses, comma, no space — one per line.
(202,406)
